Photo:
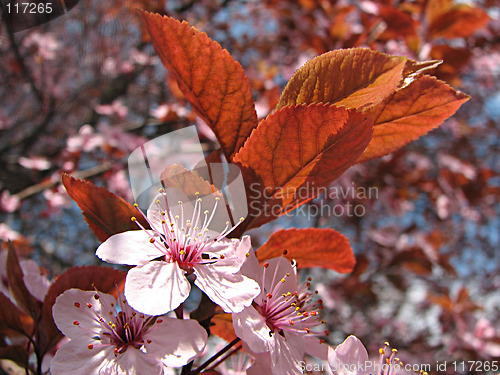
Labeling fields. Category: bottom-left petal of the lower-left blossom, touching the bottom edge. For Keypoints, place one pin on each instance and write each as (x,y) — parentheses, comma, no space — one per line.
(76,358)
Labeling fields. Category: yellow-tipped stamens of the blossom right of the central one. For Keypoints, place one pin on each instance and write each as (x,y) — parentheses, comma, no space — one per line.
(295,312)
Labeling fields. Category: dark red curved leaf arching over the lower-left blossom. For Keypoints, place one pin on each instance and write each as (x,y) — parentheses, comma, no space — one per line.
(104,279)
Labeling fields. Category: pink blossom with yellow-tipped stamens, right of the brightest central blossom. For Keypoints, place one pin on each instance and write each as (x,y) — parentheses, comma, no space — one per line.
(284,319)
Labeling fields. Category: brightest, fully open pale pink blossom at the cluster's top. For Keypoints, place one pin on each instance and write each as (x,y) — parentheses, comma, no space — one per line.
(175,248)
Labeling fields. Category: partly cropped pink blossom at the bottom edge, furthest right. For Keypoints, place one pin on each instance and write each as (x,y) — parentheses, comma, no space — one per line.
(351,358)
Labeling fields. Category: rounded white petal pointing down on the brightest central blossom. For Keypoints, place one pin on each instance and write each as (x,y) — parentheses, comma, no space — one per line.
(156,288)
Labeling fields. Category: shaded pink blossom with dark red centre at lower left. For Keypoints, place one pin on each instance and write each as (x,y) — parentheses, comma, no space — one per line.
(109,337)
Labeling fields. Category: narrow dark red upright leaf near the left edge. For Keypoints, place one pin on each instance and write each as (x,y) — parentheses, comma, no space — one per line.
(17,287)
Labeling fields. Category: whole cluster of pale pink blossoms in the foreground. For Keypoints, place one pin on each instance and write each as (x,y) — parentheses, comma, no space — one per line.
(277,318)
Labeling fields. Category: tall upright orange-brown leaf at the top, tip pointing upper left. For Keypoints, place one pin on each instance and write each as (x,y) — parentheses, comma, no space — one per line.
(212,81)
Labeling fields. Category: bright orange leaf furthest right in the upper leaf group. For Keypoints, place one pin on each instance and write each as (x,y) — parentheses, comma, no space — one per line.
(410,113)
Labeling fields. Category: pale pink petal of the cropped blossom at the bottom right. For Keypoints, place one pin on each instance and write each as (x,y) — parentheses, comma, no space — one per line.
(345,359)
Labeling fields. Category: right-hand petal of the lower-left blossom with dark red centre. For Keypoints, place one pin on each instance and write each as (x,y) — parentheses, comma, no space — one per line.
(176,341)
